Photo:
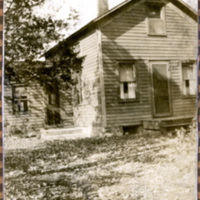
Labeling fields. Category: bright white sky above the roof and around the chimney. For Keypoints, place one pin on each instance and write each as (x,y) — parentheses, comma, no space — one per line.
(87,9)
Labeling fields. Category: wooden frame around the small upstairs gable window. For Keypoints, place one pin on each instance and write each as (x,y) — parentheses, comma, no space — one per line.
(162,17)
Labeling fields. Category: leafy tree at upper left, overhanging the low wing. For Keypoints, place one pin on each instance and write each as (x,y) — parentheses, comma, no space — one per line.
(28,36)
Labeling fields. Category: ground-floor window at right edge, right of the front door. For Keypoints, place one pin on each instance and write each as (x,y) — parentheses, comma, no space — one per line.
(189,81)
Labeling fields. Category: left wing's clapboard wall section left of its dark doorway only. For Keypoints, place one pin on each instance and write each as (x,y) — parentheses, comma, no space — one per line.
(34,118)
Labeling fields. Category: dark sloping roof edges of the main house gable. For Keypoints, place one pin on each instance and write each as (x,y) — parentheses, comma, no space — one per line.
(94,23)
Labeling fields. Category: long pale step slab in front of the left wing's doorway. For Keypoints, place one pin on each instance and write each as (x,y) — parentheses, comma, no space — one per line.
(65,133)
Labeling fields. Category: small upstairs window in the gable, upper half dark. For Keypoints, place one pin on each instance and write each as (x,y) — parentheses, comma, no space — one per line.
(156,22)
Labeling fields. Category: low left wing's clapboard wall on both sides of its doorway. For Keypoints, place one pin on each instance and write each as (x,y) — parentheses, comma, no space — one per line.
(35,118)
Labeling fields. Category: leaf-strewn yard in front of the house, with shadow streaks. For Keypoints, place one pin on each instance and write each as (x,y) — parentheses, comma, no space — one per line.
(134,167)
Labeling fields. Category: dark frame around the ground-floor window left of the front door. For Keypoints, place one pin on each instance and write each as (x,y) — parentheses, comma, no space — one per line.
(134,65)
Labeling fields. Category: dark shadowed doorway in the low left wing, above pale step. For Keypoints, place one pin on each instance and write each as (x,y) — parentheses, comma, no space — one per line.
(53,108)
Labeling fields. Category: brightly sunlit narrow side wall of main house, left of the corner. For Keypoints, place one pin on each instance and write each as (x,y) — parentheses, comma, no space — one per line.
(88,112)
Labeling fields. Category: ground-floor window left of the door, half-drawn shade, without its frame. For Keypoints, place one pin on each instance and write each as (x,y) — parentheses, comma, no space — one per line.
(128,85)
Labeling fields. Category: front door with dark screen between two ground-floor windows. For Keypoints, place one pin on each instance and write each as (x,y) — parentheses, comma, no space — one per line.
(161,89)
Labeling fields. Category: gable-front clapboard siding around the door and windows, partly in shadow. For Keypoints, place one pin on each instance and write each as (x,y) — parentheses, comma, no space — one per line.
(125,38)
